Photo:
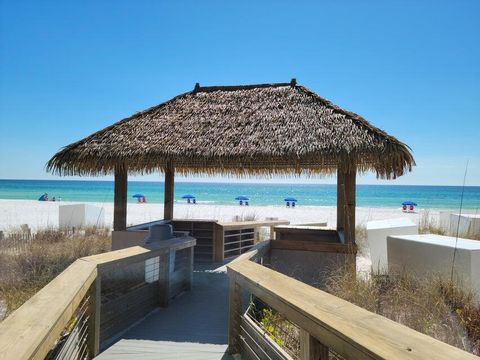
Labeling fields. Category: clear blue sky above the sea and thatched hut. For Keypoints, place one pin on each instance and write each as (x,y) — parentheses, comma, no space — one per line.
(411,68)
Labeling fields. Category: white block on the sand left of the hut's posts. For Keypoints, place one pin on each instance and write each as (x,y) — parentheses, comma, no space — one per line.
(79,215)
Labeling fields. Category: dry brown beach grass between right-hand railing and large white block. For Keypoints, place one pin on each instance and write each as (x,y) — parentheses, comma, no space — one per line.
(430,305)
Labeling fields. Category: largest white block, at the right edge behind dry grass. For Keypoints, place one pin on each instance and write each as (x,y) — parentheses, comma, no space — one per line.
(426,255)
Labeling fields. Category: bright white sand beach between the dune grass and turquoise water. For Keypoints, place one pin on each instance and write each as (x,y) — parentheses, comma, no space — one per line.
(37,214)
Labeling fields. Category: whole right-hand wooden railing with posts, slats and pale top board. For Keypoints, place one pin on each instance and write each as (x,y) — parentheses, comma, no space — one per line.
(327,323)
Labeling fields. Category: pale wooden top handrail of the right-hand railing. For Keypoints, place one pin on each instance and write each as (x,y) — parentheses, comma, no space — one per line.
(347,329)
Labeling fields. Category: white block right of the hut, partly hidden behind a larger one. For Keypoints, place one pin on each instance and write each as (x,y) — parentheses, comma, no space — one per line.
(377,232)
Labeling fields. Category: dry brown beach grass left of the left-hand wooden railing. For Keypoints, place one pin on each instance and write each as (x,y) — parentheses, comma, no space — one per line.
(30,261)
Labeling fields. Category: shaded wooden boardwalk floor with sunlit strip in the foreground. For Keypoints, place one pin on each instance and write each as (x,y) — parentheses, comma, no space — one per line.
(194,326)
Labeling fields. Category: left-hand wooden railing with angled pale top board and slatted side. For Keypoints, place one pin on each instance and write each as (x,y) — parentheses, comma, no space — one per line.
(108,292)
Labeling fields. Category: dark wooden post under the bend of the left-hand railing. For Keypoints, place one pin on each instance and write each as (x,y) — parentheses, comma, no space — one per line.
(95,294)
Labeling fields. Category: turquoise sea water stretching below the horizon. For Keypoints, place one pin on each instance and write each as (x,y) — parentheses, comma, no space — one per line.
(439,197)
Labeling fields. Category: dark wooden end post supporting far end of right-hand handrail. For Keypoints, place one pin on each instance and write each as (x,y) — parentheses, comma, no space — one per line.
(234,313)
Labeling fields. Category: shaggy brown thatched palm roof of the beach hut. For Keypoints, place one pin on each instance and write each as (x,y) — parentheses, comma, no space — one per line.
(259,129)
